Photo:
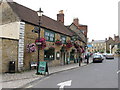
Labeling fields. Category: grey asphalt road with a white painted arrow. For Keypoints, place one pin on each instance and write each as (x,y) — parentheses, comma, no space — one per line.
(95,75)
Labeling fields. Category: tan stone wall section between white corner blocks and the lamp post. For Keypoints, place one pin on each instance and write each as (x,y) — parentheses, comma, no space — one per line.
(29,37)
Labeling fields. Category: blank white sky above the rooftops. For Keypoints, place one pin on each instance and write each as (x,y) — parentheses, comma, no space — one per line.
(101,16)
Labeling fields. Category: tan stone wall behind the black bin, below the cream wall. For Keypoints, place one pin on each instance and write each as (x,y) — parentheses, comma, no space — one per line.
(9,53)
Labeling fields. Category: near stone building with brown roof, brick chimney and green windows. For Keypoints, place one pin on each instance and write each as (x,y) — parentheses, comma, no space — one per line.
(18,35)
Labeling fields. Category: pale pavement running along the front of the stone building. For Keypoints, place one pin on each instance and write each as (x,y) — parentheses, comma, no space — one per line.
(19,80)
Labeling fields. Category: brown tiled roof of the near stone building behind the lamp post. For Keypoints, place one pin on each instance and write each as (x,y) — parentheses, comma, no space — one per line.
(30,16)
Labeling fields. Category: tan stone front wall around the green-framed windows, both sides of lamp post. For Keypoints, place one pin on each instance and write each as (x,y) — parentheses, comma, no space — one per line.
(30,37)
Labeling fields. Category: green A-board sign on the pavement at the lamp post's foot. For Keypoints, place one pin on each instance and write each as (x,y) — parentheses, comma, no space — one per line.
(43,68)
